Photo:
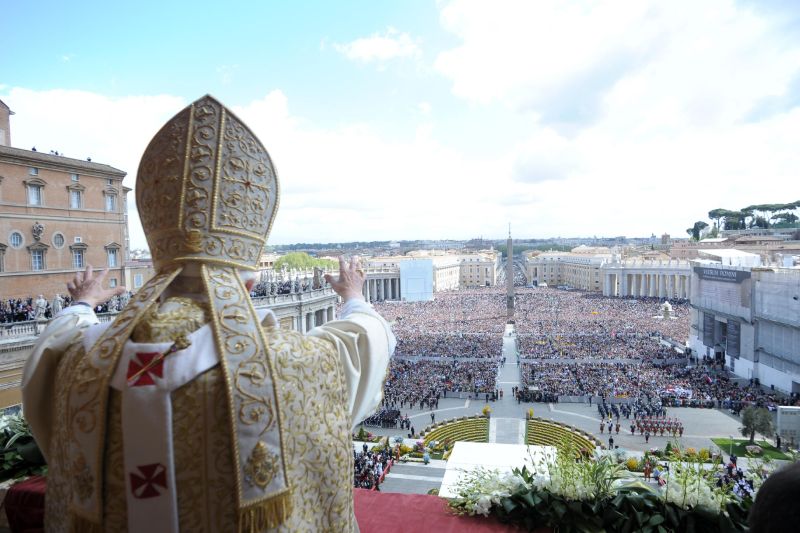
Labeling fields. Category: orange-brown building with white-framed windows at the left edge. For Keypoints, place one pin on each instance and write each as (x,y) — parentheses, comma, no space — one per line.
(57,215)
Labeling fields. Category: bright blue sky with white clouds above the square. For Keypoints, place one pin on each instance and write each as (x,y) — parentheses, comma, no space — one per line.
(436,119)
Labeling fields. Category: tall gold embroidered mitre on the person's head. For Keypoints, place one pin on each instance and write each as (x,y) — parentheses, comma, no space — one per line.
(206,189)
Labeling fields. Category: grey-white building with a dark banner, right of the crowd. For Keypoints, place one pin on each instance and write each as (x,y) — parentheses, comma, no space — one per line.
(748,317)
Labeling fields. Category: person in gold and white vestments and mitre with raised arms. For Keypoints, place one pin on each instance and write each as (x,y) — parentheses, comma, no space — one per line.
(192,410)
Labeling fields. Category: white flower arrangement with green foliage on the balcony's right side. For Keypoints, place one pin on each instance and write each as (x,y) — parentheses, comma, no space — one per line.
(571,494)
